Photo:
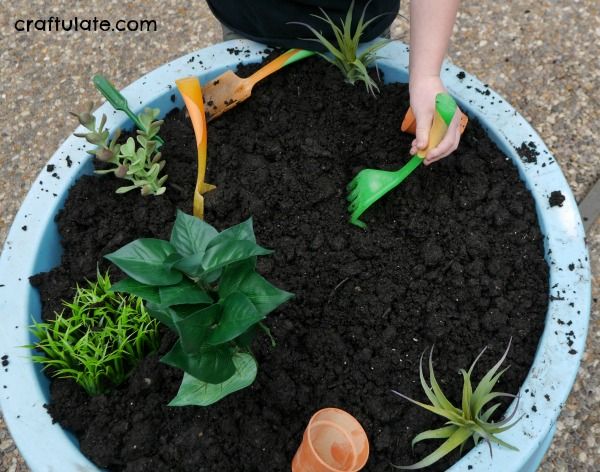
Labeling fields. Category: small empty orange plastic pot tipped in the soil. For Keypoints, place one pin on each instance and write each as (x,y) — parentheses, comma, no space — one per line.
(334,441)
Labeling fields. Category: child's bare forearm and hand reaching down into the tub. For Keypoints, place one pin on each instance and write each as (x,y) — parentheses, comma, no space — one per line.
(431,23)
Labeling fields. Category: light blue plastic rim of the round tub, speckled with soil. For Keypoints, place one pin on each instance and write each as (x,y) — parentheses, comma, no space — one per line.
(24,389)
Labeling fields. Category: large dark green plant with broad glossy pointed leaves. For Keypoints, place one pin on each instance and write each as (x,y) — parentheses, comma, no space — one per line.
(203,285)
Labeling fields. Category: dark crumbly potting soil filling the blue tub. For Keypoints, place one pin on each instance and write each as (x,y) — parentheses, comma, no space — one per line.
(452,257)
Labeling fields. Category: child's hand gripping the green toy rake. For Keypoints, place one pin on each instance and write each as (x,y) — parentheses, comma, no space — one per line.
(422,101)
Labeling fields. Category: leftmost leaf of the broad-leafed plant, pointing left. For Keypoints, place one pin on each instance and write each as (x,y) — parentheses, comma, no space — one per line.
(144,261)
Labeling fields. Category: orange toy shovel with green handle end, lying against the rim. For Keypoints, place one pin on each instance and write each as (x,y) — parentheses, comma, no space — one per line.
(227,90)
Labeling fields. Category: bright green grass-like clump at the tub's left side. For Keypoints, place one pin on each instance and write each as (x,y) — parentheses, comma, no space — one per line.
(97,339)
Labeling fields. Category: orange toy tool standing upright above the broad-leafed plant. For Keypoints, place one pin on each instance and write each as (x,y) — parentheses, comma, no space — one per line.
(192,96)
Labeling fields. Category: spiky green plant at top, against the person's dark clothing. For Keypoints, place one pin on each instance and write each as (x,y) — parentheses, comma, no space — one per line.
(345,57)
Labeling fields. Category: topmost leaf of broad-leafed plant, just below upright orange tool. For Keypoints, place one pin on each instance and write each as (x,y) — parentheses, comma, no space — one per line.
(191,235)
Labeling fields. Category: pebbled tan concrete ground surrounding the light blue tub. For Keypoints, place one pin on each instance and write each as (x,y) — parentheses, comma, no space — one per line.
(542,56)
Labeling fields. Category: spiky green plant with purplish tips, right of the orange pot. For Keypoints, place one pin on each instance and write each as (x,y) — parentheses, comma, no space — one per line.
(472,420)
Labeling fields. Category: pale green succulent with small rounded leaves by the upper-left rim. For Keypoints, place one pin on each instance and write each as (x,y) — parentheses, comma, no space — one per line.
(138,160)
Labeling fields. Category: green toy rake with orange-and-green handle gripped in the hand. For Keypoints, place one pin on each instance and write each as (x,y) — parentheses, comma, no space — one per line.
(369,185)
